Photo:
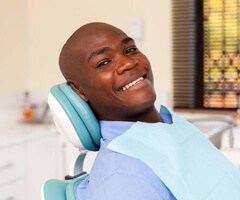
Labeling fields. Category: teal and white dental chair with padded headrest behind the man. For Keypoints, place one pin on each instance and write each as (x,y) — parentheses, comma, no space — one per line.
(74,119)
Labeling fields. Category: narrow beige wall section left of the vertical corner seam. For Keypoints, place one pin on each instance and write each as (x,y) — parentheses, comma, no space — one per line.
(12,47)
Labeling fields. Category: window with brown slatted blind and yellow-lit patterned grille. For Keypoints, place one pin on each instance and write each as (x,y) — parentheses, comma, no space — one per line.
(206,46)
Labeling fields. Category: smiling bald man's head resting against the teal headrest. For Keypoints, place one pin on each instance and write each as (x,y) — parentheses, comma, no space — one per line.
(104,66)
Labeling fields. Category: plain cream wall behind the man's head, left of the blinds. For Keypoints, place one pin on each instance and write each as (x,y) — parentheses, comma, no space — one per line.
(46,25)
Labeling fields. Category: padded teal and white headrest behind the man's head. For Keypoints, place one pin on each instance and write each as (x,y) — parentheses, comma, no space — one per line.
(74,118)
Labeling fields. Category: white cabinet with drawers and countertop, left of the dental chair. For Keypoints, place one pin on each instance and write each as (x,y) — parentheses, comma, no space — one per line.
(30,155)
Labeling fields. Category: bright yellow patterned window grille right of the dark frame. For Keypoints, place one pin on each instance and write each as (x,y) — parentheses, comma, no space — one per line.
(221,54)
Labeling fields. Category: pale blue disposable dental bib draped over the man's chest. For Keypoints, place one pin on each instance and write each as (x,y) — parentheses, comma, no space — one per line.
(182,157)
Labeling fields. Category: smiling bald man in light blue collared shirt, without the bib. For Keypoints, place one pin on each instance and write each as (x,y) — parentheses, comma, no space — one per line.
(104,66)
